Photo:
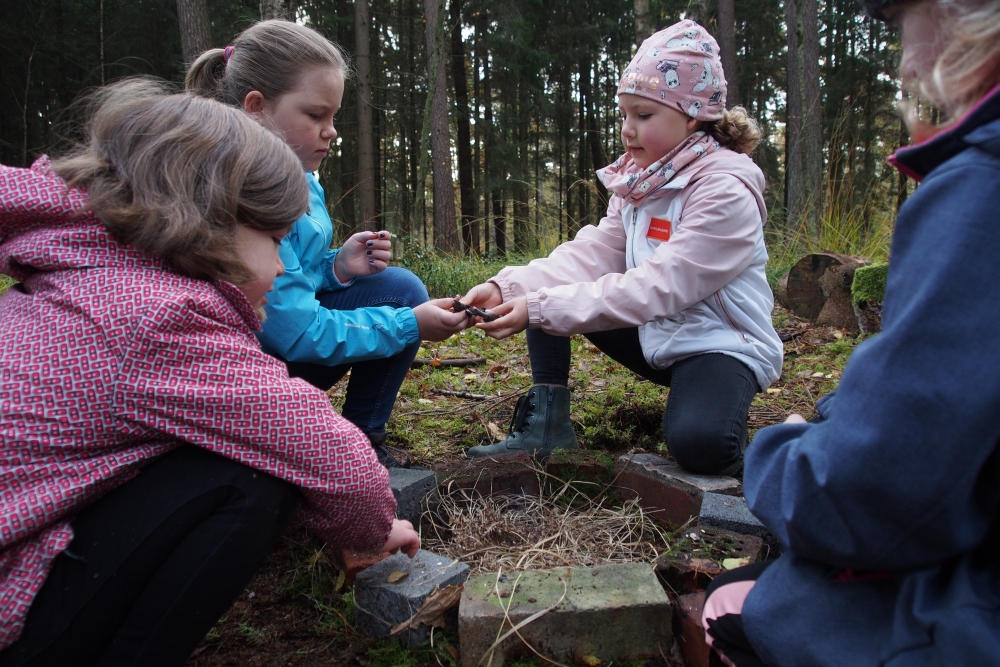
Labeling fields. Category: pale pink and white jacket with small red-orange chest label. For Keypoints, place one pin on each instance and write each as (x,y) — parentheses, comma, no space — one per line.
(703,290)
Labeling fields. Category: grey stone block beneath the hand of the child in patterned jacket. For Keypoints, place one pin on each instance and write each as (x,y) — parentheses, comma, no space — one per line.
(380,605)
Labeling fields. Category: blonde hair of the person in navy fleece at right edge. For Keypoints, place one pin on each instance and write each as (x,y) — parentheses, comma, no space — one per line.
(967,69)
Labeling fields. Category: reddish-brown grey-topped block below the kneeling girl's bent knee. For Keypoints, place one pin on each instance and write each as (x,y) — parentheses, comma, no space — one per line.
(669,493)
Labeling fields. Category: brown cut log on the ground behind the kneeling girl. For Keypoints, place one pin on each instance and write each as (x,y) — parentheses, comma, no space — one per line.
(818,288)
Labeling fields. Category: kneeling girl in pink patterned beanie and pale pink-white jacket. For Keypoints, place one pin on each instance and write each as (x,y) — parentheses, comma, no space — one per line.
(671,283)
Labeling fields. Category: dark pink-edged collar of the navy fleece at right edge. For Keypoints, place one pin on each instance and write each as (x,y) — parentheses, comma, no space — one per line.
(980,127)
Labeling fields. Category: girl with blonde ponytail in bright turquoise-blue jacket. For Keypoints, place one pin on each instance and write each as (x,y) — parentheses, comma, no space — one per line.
(333,310)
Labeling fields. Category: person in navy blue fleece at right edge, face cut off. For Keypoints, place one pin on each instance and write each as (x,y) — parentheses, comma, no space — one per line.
(887,504)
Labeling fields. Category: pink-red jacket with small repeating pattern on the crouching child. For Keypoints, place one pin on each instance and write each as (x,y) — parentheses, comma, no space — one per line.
(108,360)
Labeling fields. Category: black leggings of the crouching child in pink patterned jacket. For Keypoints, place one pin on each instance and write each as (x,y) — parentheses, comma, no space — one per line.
(155,563)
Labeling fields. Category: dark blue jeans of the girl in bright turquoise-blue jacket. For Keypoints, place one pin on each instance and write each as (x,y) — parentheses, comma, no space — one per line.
(372,389)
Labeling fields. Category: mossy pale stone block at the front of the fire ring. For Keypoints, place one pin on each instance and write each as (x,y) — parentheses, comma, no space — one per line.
(610,613)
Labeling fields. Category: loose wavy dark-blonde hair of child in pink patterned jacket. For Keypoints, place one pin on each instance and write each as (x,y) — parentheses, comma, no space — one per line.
(173,174)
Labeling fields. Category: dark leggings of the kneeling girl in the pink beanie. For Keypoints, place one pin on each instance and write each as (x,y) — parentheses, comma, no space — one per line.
(705,421)
